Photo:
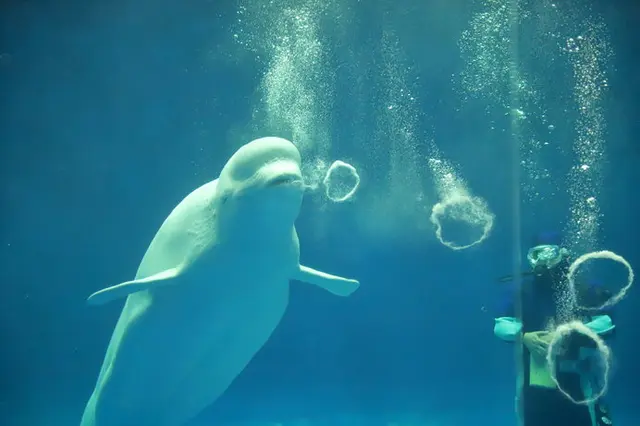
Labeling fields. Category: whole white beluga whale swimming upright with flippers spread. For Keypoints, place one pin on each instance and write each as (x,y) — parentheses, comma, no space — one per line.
(209,292)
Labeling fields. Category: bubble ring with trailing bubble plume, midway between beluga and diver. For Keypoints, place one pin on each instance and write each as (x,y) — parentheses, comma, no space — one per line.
(457,205)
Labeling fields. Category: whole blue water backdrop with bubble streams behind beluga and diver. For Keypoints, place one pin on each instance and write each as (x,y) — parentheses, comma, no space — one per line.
(113,111)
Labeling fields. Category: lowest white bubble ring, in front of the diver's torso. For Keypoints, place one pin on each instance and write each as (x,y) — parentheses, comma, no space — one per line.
(563,331)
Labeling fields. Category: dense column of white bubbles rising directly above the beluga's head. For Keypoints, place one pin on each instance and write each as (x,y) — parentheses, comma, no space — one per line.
(296,91)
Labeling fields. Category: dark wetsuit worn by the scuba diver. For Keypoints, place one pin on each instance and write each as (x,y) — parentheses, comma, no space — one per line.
(545,406)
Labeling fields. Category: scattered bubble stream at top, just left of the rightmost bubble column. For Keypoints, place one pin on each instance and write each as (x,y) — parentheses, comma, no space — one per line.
(491,72)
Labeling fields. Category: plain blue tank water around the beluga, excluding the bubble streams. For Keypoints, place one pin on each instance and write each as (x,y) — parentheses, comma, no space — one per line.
(113,112)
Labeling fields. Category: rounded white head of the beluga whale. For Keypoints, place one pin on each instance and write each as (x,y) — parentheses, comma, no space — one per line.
(261,185)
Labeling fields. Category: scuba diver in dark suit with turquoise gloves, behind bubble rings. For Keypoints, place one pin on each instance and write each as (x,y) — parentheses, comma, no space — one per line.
(538,401)
